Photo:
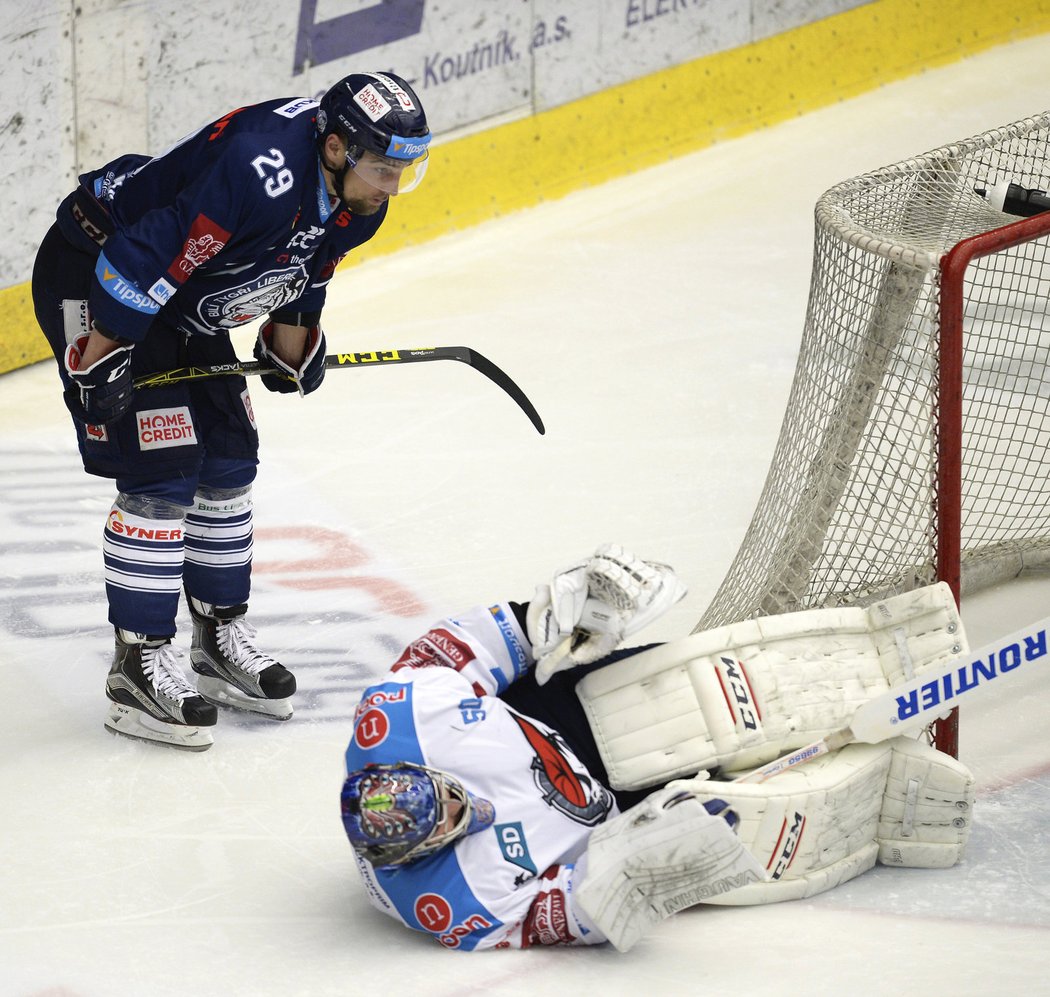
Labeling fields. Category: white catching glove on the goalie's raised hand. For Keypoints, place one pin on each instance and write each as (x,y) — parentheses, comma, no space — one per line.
(587,610)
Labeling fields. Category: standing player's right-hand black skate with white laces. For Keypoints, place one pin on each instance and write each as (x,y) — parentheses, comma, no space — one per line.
(232,671)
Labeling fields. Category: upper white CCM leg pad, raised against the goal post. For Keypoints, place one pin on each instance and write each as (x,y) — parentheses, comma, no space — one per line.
(743,695)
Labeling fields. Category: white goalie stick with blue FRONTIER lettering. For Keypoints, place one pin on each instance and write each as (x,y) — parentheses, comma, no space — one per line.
(919,702)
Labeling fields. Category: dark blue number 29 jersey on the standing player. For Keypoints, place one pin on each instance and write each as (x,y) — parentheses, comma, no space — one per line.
(232,224)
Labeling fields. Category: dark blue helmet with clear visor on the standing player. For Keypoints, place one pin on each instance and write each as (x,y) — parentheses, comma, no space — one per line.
(379,114)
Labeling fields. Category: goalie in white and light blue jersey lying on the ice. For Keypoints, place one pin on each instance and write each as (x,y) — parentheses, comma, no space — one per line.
(516,781)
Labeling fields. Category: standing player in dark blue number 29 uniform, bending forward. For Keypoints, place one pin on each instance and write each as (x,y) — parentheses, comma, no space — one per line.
(150,265)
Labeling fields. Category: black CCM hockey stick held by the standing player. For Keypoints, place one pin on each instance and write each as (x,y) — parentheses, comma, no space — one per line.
(376,358)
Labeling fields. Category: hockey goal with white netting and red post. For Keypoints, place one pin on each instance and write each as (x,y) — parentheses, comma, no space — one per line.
(916,446)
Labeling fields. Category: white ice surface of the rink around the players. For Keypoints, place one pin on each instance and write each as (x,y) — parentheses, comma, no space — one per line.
(655,323)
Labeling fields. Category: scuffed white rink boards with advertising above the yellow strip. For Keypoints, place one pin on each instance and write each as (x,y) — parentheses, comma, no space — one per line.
(83,82)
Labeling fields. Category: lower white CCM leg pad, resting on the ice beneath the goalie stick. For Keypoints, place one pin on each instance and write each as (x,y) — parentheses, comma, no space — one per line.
(820,825)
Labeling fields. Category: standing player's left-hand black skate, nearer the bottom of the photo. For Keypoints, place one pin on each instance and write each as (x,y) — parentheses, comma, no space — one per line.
(152,699)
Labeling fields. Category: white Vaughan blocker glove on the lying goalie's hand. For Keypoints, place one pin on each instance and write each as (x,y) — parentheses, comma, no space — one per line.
(661,857)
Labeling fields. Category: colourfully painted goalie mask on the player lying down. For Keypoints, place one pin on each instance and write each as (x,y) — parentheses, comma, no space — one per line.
(397,814)
